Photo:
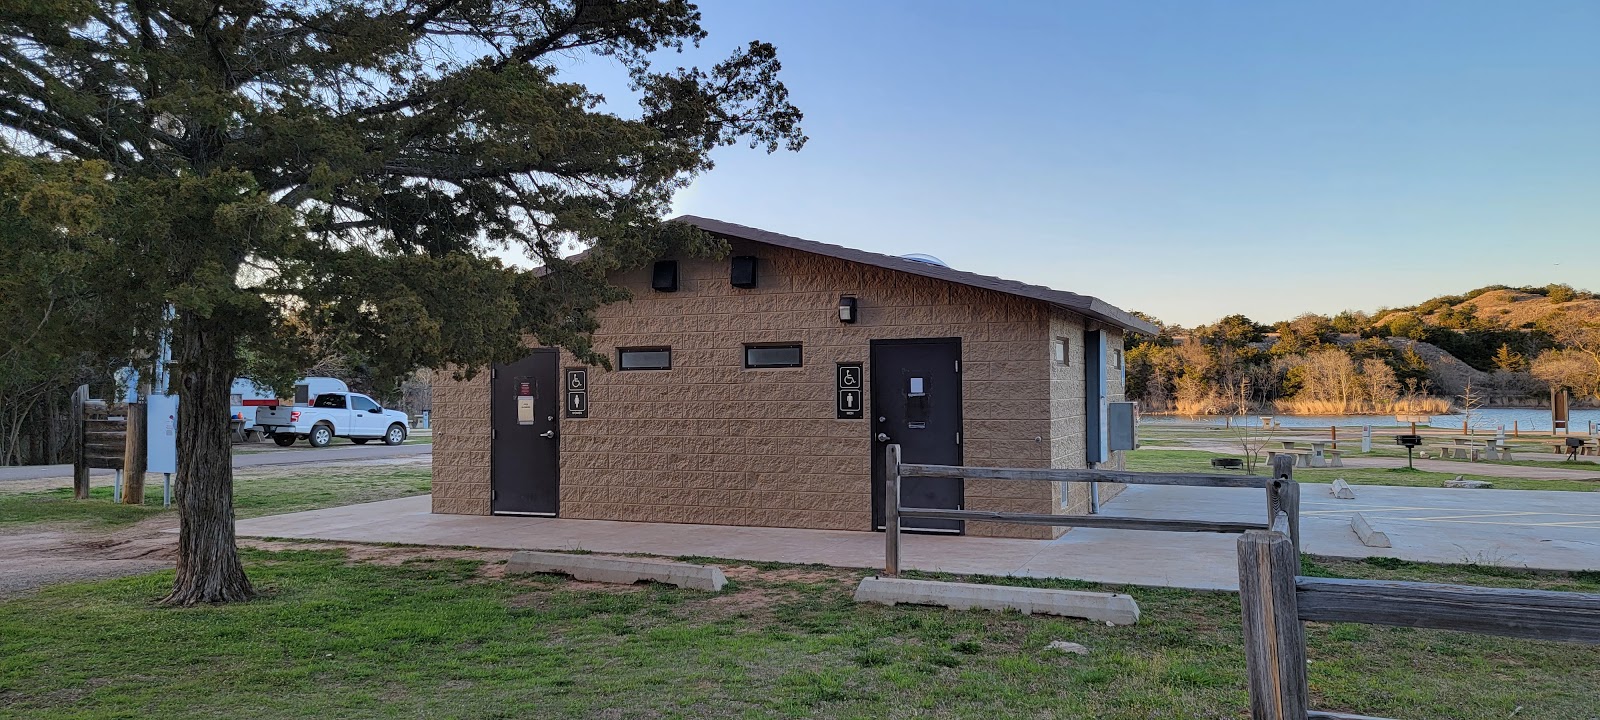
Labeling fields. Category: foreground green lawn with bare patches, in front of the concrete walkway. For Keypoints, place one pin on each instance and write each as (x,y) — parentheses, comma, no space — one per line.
(442,639)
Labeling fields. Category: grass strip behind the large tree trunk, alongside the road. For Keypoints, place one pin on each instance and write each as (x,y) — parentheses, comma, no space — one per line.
(284,490)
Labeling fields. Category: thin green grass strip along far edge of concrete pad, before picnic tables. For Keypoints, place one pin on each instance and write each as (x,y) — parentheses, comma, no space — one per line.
(1201,462)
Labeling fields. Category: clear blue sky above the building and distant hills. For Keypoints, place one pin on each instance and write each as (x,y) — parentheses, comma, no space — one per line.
(1188,159)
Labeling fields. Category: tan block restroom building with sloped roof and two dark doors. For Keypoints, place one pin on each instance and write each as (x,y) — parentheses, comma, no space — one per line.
(764,388)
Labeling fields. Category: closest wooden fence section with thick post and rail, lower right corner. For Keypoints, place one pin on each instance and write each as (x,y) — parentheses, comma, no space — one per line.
(1276,601)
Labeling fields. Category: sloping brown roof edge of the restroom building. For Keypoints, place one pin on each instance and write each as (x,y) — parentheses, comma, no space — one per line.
(1081,305)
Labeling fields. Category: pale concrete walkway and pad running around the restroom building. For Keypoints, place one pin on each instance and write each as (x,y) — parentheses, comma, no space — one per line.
(1558,534)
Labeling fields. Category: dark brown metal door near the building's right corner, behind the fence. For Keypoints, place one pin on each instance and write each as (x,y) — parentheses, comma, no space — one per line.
(918,404)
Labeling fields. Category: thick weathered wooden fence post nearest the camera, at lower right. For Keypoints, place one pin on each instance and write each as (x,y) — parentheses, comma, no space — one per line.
(1274,636)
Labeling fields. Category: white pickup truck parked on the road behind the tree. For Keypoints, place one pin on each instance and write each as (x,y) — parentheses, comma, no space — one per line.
(334,415)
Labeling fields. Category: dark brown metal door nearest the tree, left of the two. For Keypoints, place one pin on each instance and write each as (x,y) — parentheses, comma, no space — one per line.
(526,452)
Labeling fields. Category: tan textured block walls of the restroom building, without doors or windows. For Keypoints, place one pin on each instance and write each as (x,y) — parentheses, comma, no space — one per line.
(713,442)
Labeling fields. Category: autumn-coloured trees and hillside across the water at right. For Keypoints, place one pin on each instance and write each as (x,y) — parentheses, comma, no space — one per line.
(1412,361)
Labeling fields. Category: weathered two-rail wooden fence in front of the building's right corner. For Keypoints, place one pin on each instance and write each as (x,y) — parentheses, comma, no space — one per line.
(1281,489)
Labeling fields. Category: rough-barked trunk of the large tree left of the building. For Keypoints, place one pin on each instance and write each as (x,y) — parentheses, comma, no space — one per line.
(209,569)
